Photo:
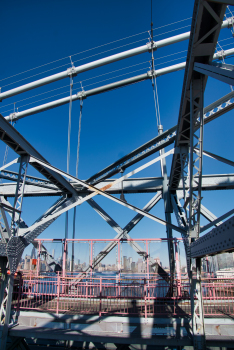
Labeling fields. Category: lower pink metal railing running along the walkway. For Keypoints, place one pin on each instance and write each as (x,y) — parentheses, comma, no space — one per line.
(142,297)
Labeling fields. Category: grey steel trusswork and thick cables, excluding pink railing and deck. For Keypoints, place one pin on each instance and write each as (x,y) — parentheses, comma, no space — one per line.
(181,192)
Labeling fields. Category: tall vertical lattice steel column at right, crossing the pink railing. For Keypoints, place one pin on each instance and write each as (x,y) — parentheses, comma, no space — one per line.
(194,202)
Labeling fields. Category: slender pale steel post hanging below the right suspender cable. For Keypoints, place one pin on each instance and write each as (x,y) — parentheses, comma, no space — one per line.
(167,208)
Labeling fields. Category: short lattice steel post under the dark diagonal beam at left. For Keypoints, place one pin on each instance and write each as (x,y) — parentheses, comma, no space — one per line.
(19,193)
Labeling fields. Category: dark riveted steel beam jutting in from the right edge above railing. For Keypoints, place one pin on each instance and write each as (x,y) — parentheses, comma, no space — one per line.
(219,240)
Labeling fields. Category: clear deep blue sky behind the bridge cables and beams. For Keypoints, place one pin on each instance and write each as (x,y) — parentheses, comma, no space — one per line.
(34,33)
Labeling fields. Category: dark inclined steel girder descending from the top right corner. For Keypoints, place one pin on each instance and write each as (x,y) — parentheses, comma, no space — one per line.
(201,47)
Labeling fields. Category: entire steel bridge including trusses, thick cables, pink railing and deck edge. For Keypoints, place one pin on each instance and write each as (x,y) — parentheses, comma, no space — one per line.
(180,190)
